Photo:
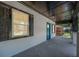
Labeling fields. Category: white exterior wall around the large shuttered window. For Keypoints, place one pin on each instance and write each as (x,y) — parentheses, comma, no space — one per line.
(12,47)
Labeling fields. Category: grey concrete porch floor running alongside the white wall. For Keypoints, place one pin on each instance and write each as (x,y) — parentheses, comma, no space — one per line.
(57,47)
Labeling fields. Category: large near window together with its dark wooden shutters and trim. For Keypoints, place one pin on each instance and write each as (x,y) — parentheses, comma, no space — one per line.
(15,23)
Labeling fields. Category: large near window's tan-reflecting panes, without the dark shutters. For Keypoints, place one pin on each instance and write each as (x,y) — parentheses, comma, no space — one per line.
(20,23)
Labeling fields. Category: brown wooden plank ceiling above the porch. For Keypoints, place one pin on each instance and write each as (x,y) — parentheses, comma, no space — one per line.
(55,10)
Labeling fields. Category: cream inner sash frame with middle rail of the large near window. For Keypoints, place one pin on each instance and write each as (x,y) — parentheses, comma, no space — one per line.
(18,24)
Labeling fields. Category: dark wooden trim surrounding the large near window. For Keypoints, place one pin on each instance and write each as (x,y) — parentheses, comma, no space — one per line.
(30,18)
